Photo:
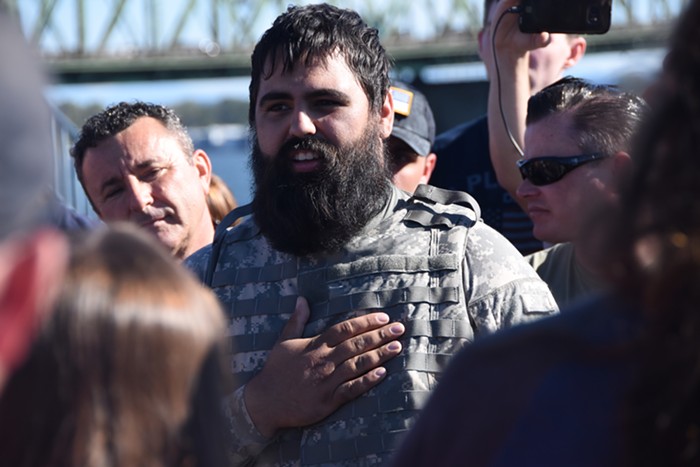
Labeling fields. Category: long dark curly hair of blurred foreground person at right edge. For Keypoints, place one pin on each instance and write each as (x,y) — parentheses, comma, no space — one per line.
(655,251)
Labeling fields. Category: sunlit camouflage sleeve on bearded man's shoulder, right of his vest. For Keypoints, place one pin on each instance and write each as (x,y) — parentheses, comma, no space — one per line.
(503,289)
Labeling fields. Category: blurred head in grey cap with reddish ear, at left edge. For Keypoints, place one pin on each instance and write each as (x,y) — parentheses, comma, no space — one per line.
(32,257)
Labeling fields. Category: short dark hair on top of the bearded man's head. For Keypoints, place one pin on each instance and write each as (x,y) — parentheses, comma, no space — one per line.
(313,33)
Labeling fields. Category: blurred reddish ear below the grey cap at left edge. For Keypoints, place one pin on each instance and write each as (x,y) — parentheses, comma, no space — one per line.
(31,275)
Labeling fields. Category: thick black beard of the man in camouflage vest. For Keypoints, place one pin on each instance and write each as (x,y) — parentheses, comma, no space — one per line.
(305,213)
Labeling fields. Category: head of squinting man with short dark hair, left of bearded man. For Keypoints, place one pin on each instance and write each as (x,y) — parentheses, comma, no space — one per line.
(137,163)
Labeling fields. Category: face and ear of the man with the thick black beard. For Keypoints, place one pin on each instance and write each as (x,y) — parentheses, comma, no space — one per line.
(323,100)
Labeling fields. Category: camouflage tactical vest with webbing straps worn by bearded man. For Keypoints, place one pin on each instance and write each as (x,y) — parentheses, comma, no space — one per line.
(411,265)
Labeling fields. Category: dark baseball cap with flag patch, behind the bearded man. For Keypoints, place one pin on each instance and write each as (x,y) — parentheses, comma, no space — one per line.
(414,123)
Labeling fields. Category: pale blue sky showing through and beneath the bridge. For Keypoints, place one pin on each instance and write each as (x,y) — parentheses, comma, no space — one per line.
(599,67)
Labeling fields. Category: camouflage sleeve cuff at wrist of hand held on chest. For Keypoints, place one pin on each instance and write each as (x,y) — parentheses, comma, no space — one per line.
(248,442)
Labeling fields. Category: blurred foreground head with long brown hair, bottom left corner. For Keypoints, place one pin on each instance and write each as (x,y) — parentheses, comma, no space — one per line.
(125,371)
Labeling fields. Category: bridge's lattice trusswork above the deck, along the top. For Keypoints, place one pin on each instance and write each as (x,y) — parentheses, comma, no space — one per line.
(75,29)
